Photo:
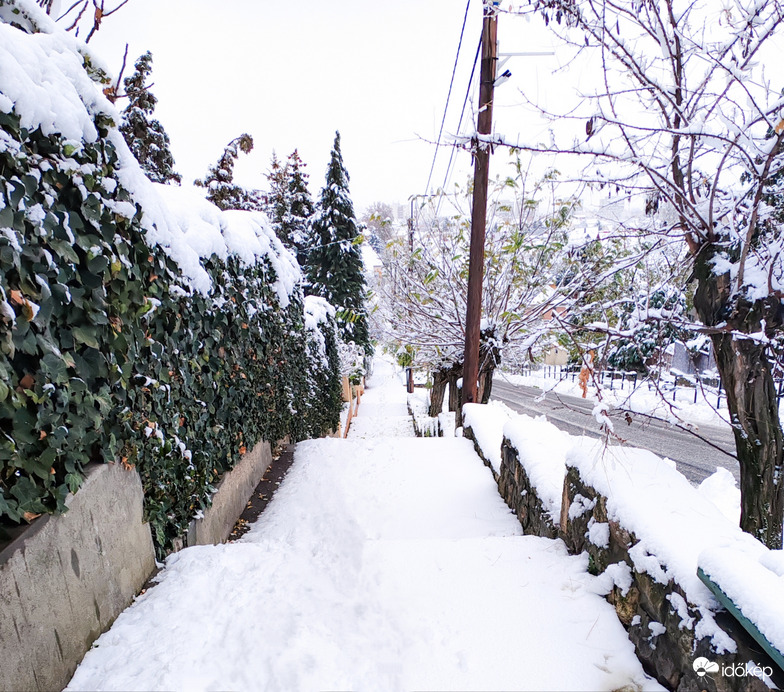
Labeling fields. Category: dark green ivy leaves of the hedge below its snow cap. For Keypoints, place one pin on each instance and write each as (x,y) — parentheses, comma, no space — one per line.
(107,353)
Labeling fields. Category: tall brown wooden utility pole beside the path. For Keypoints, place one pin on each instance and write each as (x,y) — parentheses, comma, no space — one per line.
(476,260)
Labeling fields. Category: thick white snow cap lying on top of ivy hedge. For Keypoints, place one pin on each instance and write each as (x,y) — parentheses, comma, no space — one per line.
(51,80)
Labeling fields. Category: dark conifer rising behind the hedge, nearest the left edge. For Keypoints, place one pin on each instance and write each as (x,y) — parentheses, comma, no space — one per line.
(145,135)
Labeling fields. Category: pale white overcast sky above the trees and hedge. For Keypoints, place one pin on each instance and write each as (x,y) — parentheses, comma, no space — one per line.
(291,73)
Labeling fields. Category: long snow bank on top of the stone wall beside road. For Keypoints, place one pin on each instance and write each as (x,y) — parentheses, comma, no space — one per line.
(673,521)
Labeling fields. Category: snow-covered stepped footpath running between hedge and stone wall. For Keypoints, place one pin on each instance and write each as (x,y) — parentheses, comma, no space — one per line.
(382,563)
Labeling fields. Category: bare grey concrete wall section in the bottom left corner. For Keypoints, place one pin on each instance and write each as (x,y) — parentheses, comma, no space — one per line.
(67,578)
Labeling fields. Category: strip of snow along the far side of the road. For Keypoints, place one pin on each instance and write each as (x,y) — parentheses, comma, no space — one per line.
(638,399)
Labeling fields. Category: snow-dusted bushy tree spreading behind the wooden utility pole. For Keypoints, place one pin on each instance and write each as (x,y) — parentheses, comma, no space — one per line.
(532,271)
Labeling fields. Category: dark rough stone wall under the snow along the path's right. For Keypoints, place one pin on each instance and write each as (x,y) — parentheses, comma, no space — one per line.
(662,624)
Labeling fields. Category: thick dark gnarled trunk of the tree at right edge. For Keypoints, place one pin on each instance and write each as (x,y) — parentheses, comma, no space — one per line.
(747,376)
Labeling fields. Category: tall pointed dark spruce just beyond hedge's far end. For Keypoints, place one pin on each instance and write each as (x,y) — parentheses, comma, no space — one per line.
(334,265)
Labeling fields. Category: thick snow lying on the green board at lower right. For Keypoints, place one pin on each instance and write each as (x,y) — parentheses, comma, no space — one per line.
(753,577)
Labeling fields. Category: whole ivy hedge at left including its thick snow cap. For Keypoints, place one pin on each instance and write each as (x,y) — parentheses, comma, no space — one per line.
(138,323)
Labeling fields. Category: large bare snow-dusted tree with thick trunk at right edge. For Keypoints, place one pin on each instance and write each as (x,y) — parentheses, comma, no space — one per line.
(685,120)
